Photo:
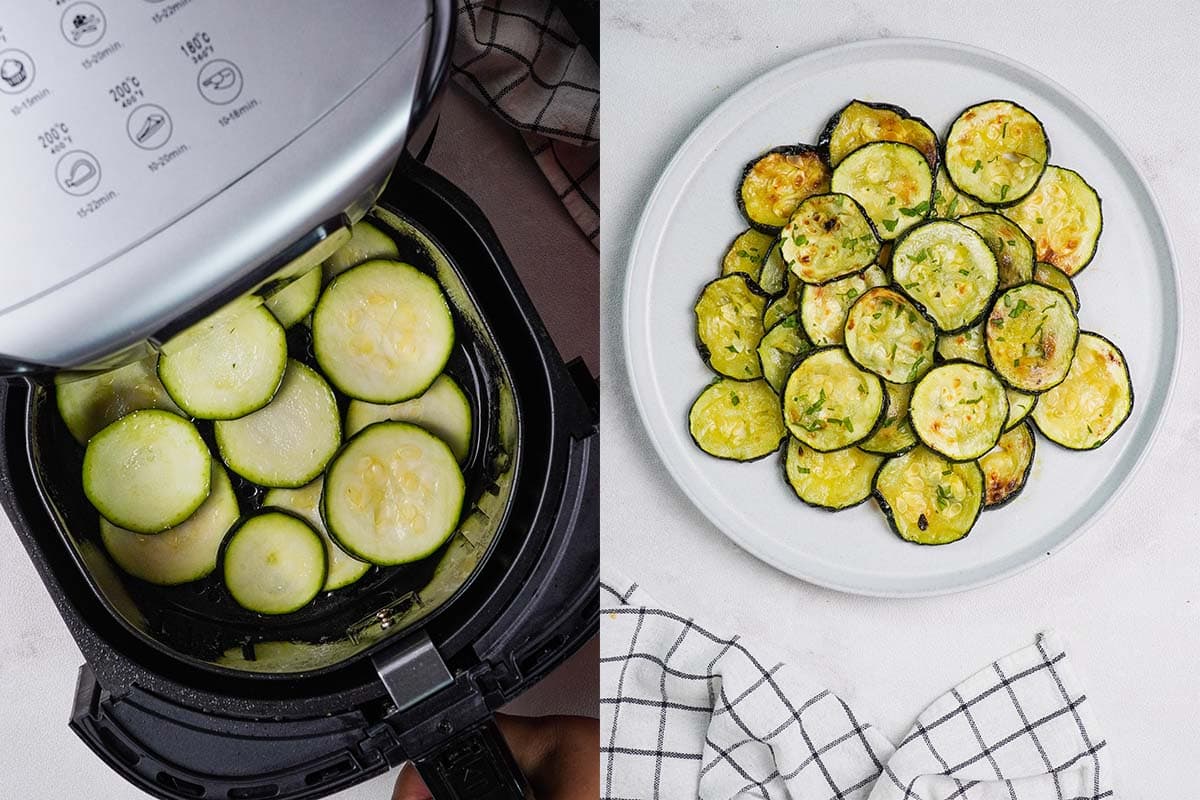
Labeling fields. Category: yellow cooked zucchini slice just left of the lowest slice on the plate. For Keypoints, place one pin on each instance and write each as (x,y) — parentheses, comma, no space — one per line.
(835,480)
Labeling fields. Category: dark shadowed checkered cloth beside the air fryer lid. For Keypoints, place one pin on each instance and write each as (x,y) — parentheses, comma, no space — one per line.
(525,63)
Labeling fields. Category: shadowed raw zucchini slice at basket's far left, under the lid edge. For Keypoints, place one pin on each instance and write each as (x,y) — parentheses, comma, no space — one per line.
(93,402)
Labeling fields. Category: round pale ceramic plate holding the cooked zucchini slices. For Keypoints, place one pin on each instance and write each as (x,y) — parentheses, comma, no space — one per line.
(1129,293)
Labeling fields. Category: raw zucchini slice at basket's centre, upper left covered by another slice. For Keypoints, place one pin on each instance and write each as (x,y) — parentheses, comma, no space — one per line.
(289,442)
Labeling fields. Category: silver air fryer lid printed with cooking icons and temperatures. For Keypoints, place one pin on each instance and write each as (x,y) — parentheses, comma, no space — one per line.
(165,157)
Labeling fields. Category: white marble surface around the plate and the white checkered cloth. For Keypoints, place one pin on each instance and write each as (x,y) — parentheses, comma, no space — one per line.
(1127,598)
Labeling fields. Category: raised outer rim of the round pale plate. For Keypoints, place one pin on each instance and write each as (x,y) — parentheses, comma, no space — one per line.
(677,163)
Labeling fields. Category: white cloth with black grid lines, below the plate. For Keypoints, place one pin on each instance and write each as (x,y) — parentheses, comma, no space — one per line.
(687,713)
